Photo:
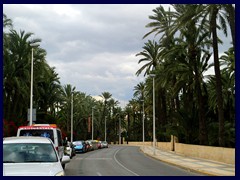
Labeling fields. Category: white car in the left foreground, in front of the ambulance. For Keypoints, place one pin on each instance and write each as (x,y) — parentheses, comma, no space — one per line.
(31,156)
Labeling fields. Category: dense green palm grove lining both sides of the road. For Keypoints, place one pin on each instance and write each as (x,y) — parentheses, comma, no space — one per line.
(195,107)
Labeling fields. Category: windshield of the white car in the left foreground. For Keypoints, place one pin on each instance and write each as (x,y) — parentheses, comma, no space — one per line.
(28,152)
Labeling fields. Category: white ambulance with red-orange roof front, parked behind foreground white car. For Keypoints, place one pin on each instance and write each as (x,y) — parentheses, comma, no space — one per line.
(45,130)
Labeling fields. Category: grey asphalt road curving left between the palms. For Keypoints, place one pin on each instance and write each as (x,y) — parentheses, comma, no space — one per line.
(121,161)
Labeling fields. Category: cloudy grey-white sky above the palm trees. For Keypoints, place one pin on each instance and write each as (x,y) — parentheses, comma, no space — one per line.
(93,47)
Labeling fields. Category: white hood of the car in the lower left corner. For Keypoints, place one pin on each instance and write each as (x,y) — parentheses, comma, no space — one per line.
(31,169)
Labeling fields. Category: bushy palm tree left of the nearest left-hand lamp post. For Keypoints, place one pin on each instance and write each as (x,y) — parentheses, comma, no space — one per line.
(17,53)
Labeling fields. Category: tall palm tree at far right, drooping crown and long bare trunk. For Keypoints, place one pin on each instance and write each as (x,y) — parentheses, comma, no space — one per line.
(212,12)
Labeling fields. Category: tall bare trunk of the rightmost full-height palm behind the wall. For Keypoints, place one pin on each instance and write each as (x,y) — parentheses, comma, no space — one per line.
(218,78)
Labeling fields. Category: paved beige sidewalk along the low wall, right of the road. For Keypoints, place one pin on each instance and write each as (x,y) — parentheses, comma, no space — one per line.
(208,167)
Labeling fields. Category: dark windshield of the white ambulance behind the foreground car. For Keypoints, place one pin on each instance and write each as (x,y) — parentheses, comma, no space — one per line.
(37,132)
